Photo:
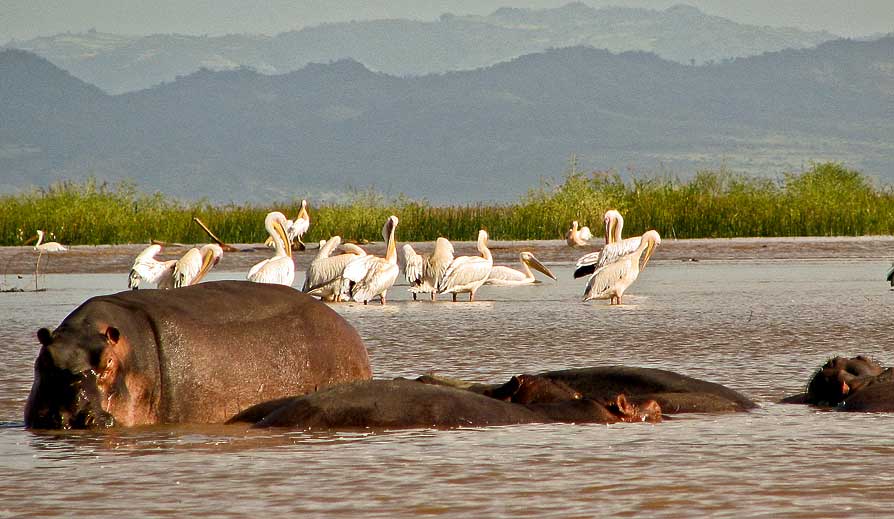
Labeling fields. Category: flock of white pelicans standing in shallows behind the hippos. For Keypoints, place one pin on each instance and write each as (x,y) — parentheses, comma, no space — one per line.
(354,275)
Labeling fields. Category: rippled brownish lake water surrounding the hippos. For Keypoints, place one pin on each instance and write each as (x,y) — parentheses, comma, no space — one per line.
(759,326)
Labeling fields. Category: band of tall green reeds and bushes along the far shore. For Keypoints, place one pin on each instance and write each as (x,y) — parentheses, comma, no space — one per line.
(826,200)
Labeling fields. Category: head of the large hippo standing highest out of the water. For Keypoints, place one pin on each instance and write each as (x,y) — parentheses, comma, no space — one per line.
(81,379)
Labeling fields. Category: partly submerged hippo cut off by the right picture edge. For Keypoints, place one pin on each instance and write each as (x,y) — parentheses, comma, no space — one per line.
(849,384)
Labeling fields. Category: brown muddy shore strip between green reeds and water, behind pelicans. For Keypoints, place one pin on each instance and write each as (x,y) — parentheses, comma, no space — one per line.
(100,259)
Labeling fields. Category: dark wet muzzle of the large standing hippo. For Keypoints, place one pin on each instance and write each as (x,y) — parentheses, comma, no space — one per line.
(76,406)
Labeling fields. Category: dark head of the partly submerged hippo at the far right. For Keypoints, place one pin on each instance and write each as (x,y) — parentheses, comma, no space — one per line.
(839,377)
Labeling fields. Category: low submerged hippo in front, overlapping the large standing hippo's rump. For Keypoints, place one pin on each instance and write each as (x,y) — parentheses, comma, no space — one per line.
(403,403)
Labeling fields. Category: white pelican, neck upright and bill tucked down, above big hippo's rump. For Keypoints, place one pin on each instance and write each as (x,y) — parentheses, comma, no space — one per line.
(371,276)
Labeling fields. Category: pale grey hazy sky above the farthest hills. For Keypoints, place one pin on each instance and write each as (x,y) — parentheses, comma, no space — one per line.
(28,18)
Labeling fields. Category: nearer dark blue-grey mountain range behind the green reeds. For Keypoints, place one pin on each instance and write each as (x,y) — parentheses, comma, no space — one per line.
(487,134)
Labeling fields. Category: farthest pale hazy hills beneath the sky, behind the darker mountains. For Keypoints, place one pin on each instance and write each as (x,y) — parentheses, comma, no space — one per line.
(404,47)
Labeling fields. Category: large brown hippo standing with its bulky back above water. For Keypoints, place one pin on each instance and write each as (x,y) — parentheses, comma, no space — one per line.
(195,354)
